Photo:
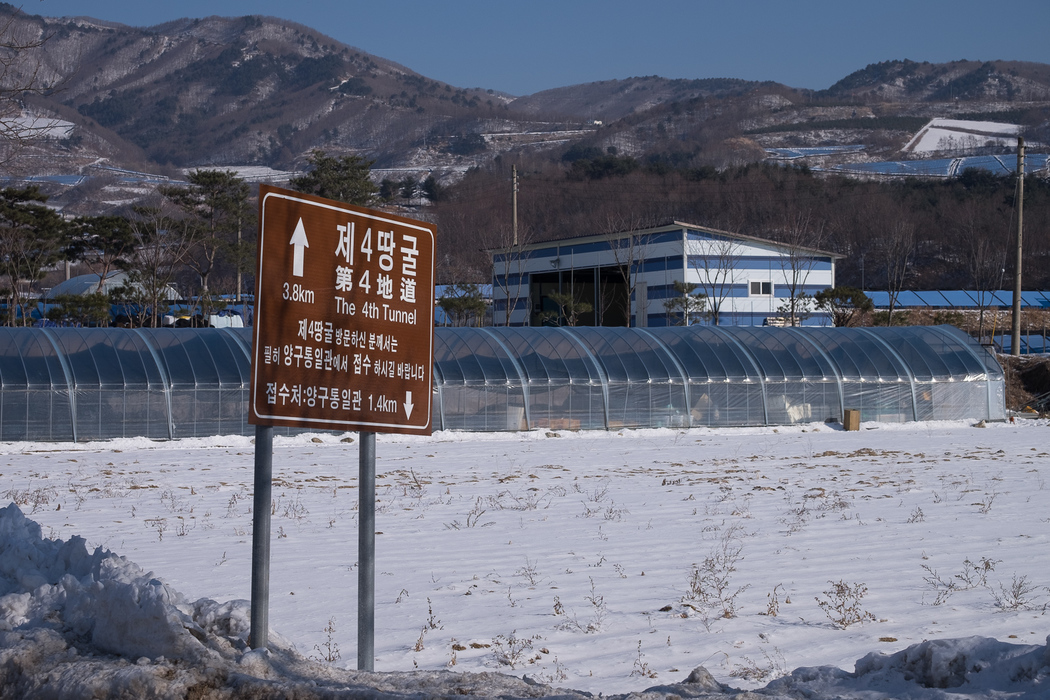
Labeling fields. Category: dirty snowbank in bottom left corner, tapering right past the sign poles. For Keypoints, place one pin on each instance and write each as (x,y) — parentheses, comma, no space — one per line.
(75,624)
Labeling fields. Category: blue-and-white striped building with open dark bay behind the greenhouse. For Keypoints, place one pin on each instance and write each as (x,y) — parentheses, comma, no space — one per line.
(628,279)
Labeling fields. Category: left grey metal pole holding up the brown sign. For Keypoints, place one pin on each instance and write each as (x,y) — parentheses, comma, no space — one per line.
(259,633)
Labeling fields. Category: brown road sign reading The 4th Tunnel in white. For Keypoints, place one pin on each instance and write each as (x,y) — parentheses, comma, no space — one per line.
(344,336)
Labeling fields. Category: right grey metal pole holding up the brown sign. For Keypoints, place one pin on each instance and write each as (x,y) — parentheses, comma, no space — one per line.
(367,554)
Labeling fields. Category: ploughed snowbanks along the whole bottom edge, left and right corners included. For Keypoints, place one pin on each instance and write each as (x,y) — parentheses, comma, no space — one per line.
(75,624)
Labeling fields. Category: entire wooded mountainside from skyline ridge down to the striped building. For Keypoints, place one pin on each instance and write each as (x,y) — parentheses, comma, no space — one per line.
(217,94)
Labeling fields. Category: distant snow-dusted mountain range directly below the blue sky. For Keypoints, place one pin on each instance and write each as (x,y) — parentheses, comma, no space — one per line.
(259,91)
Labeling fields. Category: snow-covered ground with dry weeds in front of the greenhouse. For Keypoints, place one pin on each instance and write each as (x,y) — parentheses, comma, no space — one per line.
(601,562)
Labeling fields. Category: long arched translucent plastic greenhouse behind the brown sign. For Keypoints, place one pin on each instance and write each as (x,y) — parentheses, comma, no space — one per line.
(79,385)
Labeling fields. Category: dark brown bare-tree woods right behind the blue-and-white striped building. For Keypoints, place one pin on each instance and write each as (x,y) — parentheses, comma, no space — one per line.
(954,235)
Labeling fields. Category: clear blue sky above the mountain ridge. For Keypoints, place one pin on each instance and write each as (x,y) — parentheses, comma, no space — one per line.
(531,46)
